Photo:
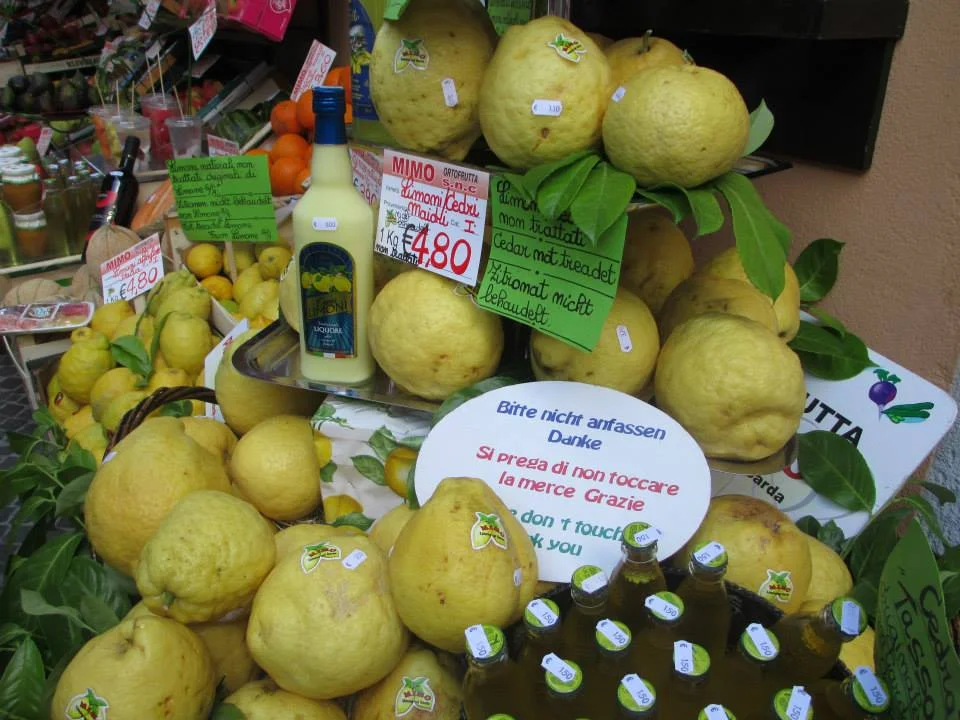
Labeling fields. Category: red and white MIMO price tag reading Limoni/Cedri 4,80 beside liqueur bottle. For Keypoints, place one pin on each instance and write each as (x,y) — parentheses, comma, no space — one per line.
(432,215)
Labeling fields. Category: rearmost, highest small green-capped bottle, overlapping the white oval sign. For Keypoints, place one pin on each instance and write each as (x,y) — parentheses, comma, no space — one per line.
(636,576)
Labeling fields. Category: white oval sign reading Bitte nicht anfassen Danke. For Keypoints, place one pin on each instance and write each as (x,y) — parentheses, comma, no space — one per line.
(575,463)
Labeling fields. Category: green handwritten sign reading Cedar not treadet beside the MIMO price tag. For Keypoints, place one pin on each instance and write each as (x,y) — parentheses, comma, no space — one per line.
(546,273)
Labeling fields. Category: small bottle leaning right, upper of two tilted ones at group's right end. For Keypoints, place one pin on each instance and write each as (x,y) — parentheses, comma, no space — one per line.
(810,643)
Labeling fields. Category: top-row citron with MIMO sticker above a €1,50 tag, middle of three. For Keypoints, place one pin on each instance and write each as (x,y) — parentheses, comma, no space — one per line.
(544,93)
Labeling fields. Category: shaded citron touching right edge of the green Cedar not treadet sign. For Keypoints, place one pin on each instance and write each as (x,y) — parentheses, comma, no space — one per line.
(656,257)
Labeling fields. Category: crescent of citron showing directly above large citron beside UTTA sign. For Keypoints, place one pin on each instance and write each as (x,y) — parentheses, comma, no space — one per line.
(704,293)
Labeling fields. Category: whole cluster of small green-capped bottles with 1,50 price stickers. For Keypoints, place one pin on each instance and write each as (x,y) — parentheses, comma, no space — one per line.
(628,648)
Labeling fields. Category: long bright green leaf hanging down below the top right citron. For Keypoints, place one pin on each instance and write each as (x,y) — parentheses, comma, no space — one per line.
(759,248)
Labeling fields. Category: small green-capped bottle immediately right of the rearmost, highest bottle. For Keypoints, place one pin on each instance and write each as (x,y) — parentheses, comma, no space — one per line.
(704,596)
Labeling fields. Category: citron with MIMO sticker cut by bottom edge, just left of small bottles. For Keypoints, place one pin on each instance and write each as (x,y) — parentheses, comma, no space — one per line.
(418,687)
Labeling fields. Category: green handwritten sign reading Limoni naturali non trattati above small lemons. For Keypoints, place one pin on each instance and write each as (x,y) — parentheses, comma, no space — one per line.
(224,198)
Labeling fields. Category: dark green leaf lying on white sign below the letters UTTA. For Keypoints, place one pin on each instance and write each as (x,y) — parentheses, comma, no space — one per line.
(836,469)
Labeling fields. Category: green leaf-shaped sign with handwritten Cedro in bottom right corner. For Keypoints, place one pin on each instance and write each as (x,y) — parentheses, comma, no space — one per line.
(914,650)
